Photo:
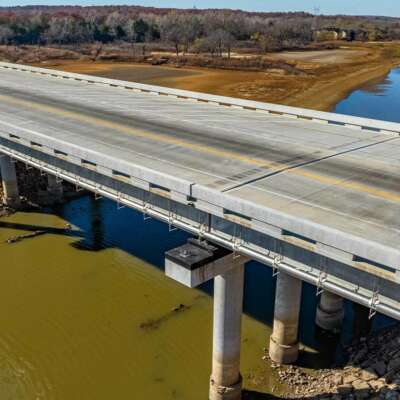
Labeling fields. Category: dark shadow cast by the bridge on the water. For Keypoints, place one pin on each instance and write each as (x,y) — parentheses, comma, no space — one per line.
(102,225)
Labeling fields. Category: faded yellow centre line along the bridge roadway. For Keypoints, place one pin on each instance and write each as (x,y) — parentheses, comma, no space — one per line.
(273,166)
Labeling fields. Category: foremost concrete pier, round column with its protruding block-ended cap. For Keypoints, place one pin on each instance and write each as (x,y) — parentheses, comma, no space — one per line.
(195,263)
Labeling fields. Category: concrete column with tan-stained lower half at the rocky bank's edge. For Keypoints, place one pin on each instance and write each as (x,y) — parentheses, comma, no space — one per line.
(284,345)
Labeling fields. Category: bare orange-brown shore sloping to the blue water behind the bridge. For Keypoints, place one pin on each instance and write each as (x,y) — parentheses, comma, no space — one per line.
(321,86)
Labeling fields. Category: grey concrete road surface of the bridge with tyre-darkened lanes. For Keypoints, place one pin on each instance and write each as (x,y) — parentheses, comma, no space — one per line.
(326,182)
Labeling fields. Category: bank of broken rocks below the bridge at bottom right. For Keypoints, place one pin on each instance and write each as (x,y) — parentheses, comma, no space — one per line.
(375,376)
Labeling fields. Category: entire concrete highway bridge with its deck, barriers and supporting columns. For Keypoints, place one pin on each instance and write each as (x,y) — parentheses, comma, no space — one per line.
(314,195)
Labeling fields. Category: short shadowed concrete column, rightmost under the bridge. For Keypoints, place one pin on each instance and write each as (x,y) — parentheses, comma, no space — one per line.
(330,312)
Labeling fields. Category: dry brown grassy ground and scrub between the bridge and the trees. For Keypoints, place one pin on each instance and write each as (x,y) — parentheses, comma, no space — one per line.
(309,81)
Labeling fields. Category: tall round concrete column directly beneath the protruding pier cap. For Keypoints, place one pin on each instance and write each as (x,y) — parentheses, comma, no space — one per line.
(226,381)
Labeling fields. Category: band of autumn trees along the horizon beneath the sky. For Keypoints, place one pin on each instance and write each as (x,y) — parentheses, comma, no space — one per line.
(212,31)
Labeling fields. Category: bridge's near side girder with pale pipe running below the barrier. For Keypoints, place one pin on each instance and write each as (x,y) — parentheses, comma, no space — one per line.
(373,286)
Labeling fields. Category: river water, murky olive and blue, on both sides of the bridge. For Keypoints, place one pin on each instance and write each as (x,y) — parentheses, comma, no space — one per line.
(87,313)
